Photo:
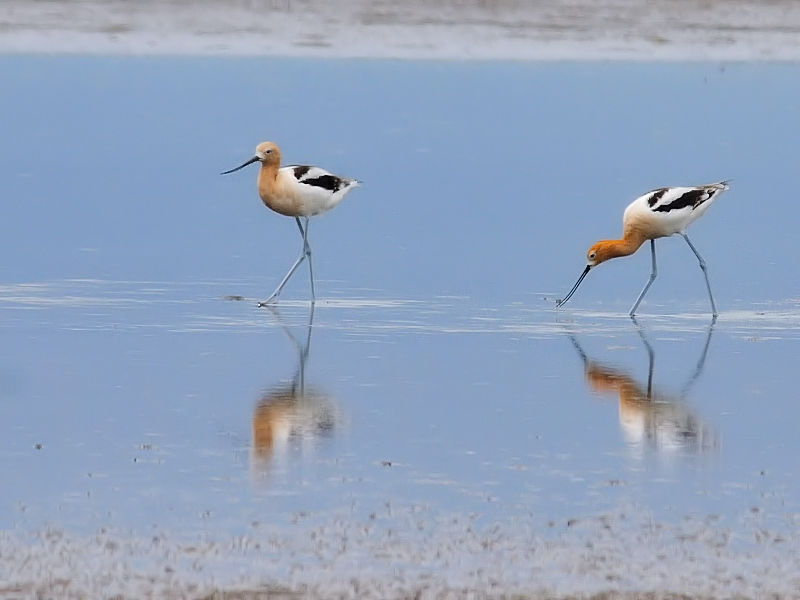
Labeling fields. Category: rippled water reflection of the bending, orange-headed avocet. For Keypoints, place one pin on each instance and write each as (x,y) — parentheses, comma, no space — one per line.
(649,418)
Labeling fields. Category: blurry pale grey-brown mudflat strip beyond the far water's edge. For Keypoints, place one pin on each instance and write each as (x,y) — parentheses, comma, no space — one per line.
(455,29)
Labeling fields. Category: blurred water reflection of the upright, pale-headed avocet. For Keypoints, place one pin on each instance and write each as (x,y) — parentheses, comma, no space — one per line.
(291,416)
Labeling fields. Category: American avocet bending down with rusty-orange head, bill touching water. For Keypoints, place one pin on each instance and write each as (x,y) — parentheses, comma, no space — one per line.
(659,213)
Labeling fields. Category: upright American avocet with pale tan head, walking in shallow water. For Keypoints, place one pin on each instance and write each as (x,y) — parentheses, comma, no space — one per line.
(296,191)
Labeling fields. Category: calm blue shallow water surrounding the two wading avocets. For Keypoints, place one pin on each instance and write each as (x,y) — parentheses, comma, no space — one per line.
(437,384)
